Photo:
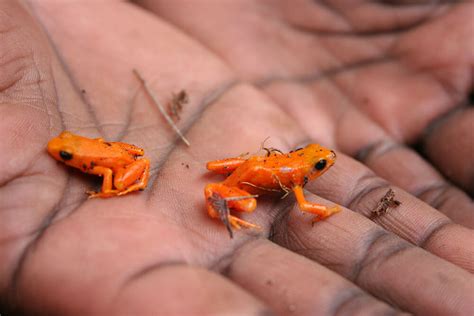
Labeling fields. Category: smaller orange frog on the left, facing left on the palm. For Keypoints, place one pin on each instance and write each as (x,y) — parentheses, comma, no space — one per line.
(116,162)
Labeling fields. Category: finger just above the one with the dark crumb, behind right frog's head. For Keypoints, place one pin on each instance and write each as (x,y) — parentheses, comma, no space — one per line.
(357,135)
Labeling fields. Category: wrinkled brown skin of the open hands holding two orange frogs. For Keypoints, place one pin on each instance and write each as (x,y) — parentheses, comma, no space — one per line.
(368,79)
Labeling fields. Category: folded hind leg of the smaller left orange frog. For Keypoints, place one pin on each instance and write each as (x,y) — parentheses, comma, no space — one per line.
(126,178)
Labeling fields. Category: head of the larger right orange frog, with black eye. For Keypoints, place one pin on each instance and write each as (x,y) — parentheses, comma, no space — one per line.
(319,160)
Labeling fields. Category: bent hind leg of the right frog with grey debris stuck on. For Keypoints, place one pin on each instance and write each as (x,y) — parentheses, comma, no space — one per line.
(220,199)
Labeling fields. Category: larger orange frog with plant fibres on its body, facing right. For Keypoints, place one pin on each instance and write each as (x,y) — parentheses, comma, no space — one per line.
(275,172)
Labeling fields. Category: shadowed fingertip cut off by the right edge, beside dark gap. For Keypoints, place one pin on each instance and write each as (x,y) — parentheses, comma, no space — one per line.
(450,146)
